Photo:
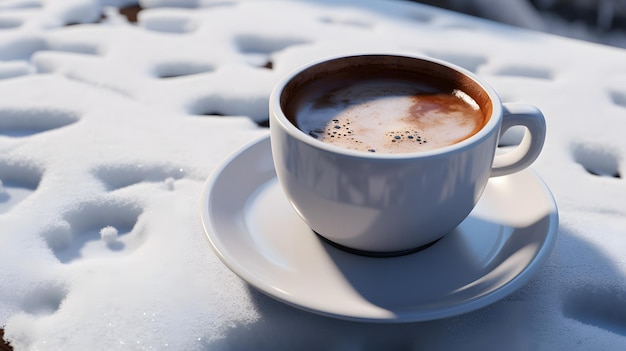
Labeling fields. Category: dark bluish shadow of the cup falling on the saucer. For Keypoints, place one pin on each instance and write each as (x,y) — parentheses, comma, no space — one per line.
(476,259)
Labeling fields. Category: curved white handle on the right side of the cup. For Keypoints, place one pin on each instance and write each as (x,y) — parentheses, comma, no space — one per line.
(529,149)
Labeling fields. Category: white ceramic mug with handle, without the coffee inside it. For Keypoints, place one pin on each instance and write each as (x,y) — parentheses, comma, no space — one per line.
(381,203)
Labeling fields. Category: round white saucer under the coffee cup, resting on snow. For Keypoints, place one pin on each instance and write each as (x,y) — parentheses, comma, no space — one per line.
(257,234)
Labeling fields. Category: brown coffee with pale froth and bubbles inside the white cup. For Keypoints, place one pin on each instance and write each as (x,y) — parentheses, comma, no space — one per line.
(387,115)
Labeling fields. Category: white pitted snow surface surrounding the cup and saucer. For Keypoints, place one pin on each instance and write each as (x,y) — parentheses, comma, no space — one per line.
(108,131)
